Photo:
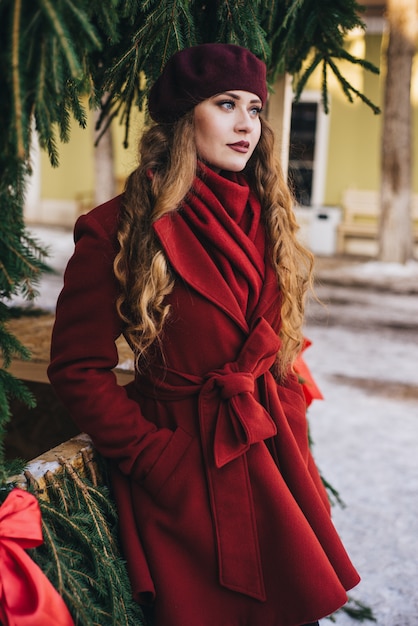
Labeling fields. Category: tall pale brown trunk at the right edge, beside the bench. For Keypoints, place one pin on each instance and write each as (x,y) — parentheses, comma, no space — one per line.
(396,239)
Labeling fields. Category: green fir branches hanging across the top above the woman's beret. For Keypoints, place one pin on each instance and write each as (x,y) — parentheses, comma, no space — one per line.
(53,53)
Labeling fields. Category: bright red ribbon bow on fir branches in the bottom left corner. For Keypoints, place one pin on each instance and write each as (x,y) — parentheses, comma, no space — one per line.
(27,598)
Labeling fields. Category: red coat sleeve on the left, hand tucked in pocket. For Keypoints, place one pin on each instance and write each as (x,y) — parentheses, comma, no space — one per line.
(83,353)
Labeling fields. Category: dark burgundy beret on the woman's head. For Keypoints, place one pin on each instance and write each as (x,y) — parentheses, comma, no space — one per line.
(195,74)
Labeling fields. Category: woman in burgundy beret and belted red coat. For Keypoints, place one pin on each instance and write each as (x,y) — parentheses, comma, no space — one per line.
(224,519)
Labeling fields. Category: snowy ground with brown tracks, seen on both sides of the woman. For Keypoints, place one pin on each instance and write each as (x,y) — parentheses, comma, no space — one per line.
(365,432)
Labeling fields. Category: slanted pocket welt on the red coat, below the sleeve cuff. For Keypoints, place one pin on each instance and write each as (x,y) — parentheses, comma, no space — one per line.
(167,461)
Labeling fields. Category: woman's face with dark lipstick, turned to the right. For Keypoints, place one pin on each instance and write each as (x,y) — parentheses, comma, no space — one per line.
(228,128)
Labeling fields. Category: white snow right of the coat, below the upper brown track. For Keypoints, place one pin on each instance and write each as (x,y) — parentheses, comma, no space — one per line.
(365,443)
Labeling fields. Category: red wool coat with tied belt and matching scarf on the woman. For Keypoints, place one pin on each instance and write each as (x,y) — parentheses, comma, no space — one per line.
(224,519)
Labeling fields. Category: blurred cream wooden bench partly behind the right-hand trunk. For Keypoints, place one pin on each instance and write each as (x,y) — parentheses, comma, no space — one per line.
(359,229)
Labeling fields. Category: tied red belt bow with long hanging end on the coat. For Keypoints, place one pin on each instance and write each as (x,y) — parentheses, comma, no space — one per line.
(231,420)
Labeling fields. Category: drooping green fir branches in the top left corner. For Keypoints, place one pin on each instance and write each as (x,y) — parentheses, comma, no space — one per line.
(45,48)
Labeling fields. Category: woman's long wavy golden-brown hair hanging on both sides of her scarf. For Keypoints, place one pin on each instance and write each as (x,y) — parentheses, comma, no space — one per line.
(164,177)
